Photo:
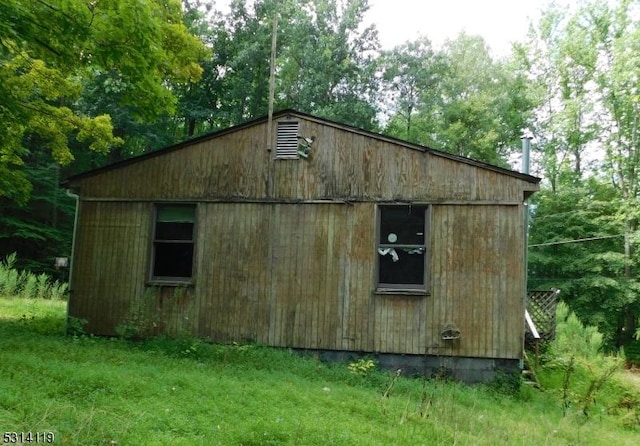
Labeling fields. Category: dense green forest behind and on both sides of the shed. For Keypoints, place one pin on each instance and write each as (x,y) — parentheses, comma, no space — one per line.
(86,83)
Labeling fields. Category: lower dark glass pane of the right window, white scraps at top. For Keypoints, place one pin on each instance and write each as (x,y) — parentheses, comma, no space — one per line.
(402,267)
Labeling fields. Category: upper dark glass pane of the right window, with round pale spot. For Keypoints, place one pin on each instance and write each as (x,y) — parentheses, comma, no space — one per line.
(402,225)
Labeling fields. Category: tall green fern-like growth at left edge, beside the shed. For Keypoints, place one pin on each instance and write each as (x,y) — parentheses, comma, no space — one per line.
(27,284)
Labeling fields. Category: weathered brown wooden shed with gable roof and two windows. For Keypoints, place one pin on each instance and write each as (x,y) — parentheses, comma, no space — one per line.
(304,233)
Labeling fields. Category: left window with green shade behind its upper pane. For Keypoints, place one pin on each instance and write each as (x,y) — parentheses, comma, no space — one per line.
(173,242)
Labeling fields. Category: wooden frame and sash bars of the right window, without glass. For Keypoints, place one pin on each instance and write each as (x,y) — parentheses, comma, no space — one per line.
(402,288)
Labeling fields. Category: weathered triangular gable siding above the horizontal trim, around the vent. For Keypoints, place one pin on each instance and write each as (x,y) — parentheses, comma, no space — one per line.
(342,164)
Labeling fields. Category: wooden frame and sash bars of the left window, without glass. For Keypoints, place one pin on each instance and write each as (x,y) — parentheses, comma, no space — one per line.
(168,280)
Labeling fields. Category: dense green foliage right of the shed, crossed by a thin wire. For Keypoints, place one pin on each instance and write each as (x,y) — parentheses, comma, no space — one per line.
(590,274)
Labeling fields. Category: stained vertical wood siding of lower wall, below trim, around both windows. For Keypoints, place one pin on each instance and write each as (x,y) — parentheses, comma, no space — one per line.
(302,275)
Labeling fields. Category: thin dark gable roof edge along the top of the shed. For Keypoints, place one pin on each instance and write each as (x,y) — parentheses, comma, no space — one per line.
(322,121)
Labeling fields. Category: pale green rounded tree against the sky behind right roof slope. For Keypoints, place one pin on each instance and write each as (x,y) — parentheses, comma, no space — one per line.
(485,103)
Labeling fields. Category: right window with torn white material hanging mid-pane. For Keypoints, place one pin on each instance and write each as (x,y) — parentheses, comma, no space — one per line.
(402,247)
